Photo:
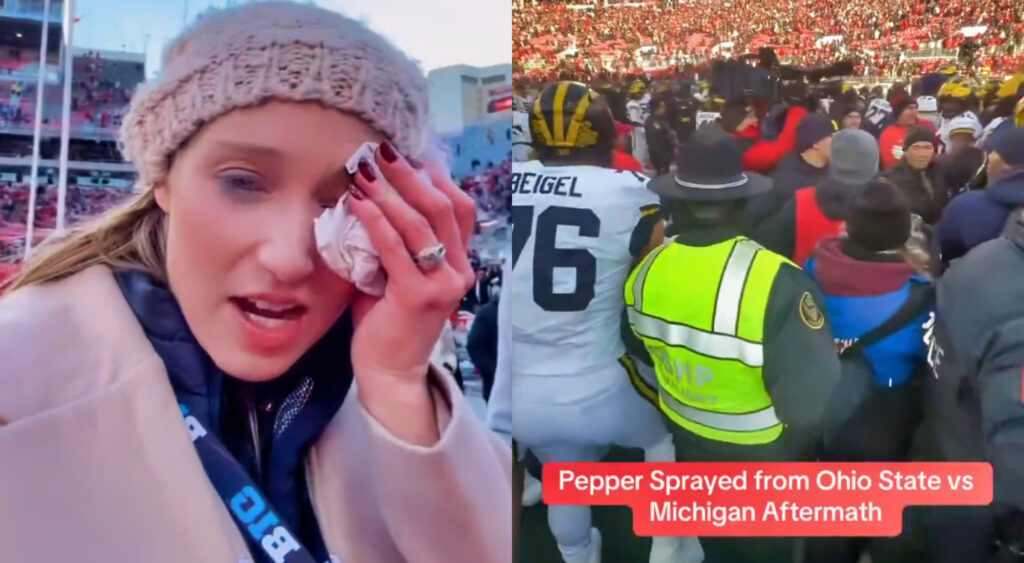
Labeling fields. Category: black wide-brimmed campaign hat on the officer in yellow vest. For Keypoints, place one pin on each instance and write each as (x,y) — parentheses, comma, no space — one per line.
(709,168)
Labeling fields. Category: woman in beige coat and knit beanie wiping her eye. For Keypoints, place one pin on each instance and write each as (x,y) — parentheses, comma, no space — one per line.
(186,380)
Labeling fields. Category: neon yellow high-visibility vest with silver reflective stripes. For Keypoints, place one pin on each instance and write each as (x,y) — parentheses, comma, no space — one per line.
(701,313)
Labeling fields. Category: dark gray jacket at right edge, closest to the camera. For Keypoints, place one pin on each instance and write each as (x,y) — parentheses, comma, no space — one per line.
(973,407)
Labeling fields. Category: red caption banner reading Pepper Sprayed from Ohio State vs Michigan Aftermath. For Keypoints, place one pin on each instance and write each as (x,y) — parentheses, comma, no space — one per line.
(769,499)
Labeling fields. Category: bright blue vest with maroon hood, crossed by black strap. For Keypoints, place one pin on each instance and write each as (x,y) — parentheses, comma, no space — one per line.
(861,295)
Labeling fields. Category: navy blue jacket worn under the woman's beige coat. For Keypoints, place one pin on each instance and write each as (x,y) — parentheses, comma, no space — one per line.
(291,411)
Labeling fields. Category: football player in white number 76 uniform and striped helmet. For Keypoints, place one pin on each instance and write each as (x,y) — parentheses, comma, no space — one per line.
(578,228)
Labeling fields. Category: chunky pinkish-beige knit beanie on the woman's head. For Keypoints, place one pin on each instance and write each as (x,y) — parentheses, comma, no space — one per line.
(243,57)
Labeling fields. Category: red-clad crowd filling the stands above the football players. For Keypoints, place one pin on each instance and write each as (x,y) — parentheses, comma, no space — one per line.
(881,36)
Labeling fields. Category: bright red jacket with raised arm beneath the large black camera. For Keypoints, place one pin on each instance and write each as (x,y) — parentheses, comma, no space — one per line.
(740,119)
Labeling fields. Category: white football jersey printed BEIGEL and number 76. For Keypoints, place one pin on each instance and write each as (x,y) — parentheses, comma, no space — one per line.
(572,228)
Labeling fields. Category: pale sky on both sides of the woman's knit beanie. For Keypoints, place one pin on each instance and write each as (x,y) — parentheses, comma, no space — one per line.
(439,33)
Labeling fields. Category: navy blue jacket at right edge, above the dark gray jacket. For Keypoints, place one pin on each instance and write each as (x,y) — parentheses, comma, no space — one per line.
(972,219)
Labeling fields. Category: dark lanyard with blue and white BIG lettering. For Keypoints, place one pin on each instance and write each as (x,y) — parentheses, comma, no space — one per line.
(250,508)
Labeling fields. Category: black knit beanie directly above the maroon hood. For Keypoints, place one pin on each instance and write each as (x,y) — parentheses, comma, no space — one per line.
(880,219)
